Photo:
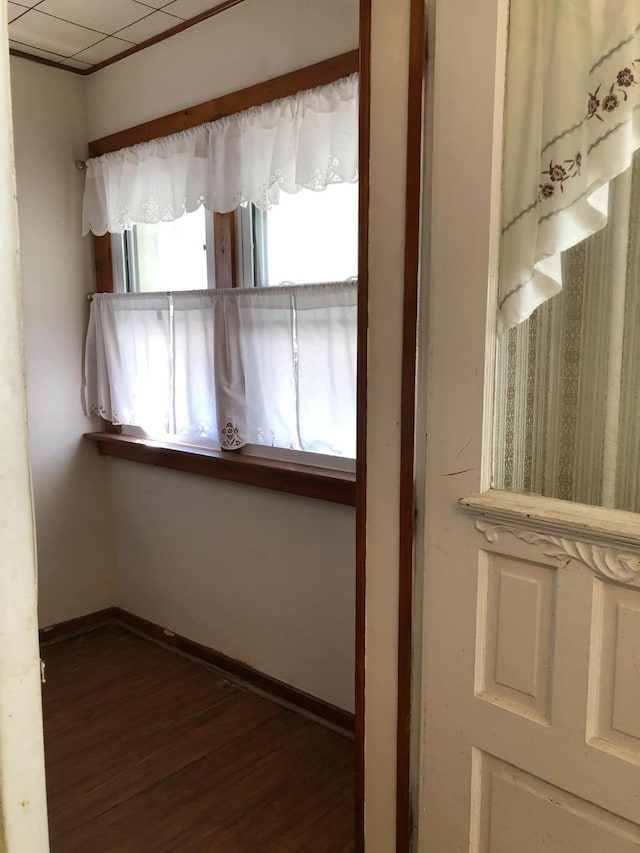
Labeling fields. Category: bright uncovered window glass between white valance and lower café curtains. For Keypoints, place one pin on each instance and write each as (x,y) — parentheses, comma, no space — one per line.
(307,238)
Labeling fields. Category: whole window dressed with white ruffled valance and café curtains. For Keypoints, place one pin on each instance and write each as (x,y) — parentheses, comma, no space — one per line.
(265,358)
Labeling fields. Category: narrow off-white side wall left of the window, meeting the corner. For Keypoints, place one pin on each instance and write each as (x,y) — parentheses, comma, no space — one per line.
(75,552)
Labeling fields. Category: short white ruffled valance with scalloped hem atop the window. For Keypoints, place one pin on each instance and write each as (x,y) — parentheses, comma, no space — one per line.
(309,140)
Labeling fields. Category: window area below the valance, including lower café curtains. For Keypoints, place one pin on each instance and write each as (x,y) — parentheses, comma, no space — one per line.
(290,407)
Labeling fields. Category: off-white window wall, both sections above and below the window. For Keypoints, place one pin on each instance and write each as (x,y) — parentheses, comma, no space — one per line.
(261,576)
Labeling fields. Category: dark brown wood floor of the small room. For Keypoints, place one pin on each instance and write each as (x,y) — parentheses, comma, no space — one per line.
(148,752)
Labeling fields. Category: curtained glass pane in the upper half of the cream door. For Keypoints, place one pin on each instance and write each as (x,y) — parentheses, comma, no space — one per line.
(567,404)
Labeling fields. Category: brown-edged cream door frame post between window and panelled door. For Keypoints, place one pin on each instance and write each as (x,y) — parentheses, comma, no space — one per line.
(383,800)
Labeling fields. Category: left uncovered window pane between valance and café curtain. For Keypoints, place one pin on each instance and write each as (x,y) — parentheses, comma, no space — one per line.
(170,255)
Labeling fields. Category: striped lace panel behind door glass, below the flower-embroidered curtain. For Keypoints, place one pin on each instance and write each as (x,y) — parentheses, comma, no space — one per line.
(568,401)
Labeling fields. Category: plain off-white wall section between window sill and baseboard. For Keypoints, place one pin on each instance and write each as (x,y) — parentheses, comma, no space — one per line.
(264,577)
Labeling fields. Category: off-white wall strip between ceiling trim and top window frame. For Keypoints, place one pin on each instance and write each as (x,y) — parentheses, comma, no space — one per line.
(249,43)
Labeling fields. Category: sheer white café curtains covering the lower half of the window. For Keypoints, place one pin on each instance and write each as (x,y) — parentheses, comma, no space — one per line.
(273,366)
